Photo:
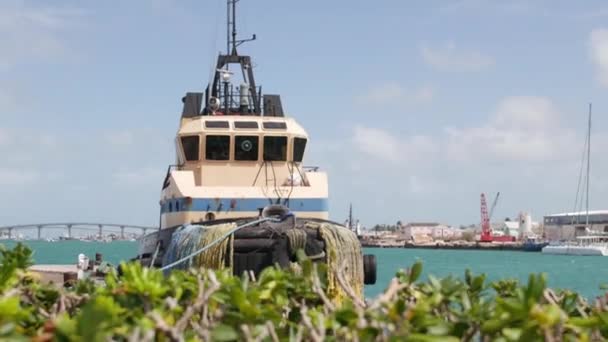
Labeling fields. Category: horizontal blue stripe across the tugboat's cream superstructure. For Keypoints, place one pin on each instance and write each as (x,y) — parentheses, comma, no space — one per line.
(241,204)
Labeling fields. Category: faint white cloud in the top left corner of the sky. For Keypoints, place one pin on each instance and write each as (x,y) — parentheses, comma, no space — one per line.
(31,32)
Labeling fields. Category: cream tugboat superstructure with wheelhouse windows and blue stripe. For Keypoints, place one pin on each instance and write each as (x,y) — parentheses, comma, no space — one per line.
(231,166)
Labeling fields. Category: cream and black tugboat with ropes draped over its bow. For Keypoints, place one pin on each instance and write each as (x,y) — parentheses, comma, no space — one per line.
(239,196)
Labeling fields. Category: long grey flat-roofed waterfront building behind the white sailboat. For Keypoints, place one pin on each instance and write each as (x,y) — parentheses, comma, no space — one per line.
(567,226)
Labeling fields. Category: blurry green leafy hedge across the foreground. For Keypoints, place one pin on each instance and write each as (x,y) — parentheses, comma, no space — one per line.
(279,305)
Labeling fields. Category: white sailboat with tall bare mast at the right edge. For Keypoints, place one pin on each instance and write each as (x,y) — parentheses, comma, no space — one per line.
(592,242)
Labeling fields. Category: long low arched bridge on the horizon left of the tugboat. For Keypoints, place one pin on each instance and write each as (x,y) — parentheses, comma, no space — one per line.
(99,227)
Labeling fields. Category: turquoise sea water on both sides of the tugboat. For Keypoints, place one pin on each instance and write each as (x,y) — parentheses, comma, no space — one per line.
(582,274)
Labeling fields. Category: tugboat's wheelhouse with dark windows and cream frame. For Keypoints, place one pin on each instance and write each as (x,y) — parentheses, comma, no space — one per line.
(240,139)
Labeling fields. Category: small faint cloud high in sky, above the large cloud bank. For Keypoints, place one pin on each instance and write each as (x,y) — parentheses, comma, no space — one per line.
(451,58)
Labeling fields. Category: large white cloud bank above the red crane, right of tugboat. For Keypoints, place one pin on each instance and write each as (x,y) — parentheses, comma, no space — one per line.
(520,129)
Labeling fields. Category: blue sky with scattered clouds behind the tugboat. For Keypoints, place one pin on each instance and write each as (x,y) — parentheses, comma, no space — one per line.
(413,107)
